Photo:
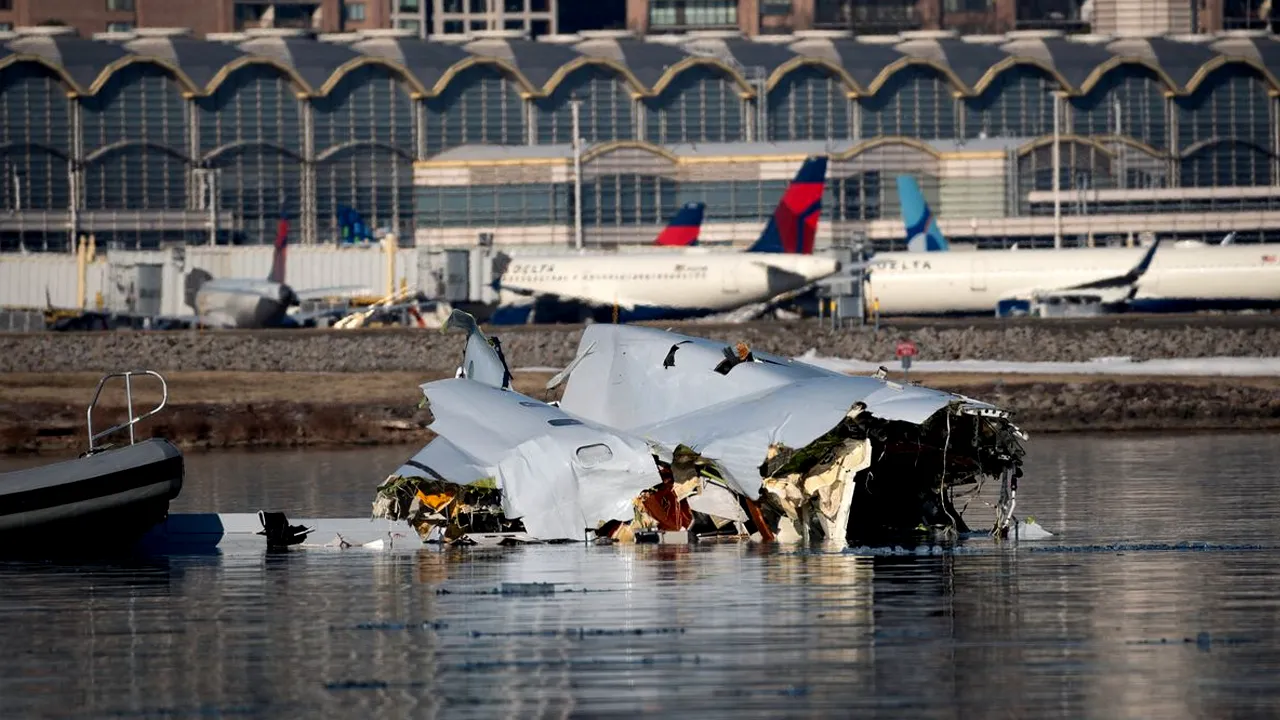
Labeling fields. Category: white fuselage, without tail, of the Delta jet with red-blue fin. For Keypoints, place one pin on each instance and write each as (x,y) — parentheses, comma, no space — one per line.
(660,286)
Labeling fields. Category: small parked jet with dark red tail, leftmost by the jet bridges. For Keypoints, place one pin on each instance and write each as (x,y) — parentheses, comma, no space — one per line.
(252,303)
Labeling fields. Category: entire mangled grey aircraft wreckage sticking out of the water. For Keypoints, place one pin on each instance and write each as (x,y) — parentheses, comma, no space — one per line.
(664,436)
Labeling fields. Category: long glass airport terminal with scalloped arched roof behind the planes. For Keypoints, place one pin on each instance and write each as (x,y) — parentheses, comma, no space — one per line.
(152,138)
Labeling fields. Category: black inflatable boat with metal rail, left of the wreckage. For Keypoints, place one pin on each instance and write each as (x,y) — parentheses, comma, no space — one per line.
(104,500)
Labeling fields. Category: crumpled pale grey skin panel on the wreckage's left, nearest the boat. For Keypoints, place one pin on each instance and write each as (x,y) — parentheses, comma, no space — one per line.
(556,473)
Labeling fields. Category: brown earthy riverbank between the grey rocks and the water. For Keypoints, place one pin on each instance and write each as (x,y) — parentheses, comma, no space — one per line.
(45,412)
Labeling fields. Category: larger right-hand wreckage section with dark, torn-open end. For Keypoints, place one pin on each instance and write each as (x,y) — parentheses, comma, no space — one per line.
(744,411)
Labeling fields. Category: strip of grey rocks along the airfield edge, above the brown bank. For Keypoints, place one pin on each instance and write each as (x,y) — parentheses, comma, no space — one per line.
(383,350)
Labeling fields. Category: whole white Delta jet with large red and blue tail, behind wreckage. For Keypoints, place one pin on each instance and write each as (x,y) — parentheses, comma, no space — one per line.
(691,284)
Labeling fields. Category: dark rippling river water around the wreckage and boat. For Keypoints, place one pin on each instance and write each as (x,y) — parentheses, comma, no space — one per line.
(1159,596)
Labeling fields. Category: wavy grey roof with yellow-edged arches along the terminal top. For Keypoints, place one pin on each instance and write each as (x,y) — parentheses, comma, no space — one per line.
(865,65)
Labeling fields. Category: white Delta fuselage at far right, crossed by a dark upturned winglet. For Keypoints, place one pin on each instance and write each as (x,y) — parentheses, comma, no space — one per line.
(1180,279)
